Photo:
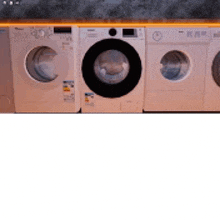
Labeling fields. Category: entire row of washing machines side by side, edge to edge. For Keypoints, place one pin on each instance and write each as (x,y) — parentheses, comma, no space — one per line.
(66,68)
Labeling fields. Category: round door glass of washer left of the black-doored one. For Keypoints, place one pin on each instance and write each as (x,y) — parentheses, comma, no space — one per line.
(41,64)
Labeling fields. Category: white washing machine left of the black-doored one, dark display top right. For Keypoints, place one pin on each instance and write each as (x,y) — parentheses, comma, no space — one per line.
(44,60)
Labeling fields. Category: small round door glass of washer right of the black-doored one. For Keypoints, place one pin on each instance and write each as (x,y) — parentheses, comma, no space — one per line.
(175,65)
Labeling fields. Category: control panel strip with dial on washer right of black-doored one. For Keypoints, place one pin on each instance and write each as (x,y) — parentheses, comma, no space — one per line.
(178,35)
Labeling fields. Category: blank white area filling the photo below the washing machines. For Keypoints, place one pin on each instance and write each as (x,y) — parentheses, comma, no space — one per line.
(105,167)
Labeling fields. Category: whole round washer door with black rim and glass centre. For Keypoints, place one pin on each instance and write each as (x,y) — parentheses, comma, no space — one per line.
(111,68)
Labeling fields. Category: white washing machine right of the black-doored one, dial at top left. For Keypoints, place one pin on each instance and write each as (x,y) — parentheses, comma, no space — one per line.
(175,68)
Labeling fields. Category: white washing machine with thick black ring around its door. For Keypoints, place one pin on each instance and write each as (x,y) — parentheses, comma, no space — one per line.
(112,62)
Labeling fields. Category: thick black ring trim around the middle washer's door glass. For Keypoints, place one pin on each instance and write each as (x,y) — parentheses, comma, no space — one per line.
(113,90)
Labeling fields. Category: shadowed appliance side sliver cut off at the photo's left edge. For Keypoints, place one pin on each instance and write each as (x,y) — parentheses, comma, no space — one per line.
(6,78)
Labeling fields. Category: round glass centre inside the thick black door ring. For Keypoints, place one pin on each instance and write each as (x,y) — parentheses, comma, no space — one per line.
(111,67)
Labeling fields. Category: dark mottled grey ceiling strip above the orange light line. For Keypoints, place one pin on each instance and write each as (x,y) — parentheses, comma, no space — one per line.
(110,9)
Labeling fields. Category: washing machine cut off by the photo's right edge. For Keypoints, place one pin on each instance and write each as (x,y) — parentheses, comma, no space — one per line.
(212,80)
